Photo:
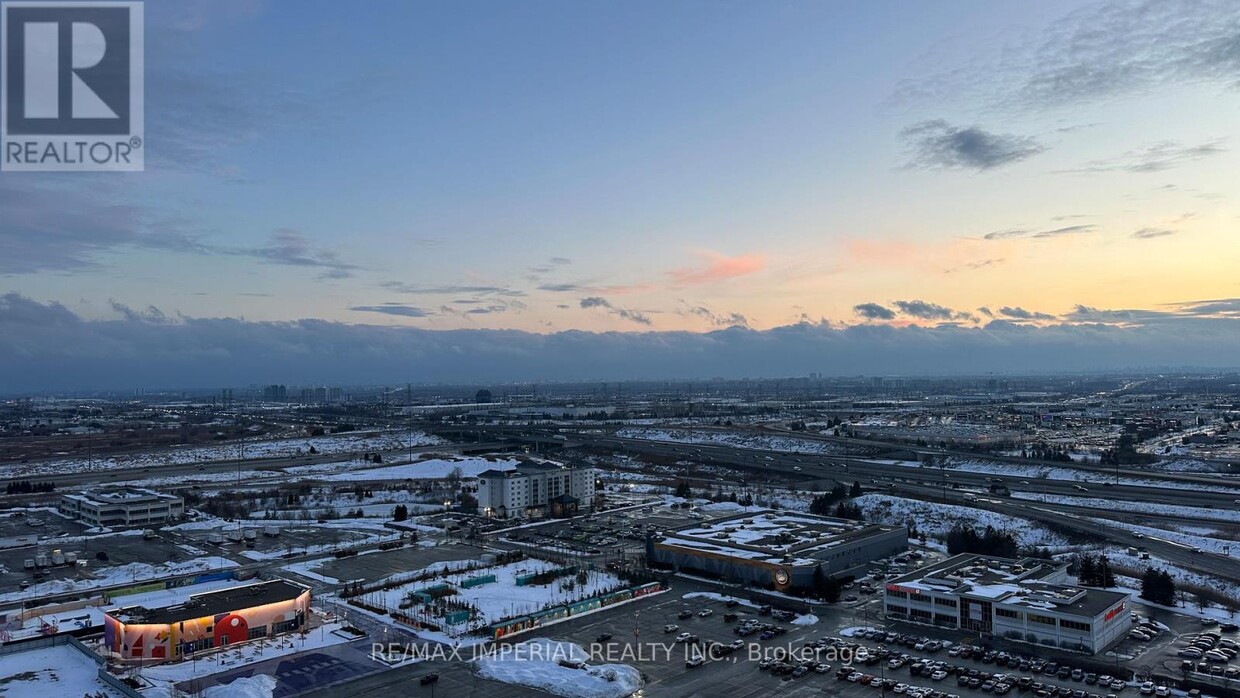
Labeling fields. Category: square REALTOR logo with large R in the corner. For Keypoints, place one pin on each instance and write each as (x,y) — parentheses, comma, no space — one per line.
(73,87)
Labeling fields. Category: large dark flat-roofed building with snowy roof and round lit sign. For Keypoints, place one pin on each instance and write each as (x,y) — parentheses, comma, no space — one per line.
(777,549)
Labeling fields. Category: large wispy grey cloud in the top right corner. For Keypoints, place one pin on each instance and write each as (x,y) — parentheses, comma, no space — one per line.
(1094,54)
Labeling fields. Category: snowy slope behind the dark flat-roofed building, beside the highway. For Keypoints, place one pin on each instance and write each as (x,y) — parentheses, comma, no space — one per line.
(937,520)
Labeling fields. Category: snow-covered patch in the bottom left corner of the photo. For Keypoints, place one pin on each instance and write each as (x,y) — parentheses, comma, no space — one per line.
(50,673)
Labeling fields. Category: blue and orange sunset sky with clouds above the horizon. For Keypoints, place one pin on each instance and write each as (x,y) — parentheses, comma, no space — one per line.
(562,190)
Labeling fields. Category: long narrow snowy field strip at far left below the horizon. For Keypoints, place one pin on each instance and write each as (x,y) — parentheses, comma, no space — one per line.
(277,448)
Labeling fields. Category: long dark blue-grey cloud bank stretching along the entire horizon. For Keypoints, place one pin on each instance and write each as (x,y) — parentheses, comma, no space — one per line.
(46,348)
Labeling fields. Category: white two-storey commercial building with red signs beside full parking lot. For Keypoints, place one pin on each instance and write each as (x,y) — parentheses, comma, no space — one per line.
(1026,601)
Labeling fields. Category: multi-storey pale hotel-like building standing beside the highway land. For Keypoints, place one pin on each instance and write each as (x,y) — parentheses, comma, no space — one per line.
(536,489)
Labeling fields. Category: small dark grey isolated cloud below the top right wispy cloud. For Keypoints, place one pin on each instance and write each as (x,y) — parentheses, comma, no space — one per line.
(937,144)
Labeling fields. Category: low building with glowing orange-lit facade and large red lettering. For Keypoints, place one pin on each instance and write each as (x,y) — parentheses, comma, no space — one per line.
(214,619)
